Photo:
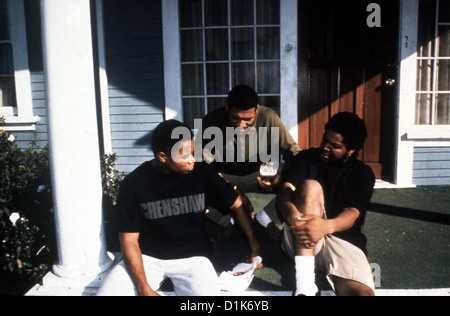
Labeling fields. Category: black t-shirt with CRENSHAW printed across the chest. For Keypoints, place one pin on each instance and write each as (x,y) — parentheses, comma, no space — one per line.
(169,210)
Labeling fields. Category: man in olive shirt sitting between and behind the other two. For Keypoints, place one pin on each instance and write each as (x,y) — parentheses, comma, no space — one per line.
(245,116)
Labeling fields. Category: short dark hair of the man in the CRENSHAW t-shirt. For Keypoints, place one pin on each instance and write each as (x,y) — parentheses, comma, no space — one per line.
(162,136)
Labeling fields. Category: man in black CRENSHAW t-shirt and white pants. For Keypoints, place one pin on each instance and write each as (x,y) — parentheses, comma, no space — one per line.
(161,218)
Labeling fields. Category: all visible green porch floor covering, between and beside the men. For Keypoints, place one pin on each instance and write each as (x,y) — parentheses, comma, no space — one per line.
(408,233)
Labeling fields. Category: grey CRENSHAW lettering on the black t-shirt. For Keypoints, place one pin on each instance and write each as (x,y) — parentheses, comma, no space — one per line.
(173,207)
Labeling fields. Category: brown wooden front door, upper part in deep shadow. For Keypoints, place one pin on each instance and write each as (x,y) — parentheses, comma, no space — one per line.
(344,66)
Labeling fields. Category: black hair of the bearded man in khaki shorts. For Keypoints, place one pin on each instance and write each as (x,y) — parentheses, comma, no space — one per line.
(351,127)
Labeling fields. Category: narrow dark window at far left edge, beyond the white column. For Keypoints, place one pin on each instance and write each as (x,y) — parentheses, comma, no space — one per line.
(7,85)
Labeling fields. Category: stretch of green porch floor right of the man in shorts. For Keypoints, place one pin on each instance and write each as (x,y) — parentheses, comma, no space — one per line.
(409,237)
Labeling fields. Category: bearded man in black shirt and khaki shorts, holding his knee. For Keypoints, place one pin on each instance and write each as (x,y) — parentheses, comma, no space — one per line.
(324,199)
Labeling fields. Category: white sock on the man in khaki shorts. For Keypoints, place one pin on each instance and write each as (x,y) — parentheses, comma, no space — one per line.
(305,276)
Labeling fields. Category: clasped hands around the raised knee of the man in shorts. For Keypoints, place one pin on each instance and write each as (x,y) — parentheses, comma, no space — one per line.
(309,230)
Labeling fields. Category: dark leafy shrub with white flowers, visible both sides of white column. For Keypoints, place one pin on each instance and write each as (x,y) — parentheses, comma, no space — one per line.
(27,228)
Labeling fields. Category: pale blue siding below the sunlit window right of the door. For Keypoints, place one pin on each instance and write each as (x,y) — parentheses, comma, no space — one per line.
(431,166)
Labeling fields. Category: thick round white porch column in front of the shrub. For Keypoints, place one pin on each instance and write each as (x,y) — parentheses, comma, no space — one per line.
(73,138)
